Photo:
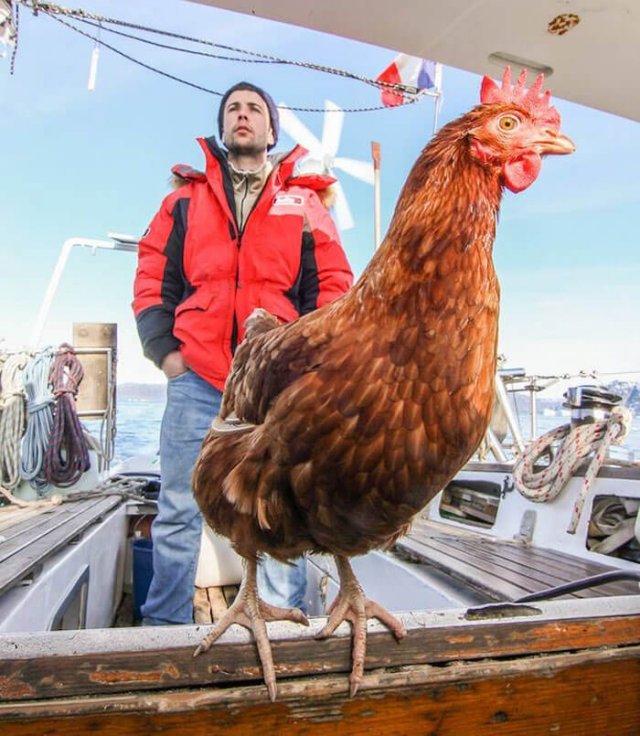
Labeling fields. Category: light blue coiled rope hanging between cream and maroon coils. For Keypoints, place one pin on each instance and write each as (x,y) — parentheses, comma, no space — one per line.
(39,420)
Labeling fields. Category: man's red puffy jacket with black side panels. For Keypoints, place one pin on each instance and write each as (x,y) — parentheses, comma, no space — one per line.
(199,278)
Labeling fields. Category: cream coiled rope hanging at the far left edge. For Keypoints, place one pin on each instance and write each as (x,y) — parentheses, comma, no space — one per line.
(12,419)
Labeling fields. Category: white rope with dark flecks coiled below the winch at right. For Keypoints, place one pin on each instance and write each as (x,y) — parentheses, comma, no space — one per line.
(576,443)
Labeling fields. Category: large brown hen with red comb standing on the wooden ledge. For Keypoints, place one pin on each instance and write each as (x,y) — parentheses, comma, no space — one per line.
(356,415)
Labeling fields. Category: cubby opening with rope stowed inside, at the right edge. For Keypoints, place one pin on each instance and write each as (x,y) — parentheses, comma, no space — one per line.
(614,527)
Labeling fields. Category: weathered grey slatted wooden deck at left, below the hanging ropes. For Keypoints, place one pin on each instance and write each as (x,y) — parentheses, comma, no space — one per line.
(28,536)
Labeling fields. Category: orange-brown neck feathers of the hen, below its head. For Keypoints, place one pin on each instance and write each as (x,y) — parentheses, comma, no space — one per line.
(448,205)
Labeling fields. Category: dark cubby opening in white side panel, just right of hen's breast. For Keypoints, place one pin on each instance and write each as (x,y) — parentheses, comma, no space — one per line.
(471,502)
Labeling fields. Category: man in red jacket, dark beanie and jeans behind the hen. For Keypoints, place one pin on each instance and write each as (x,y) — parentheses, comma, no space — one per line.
(246,233)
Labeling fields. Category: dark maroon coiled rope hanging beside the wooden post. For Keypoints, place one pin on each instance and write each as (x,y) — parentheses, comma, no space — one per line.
(67,455)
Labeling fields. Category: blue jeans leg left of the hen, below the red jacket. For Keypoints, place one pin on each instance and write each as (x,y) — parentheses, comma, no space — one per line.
(192,404)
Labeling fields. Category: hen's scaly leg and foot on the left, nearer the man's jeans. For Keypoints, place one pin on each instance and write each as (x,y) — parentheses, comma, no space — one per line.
(249,611)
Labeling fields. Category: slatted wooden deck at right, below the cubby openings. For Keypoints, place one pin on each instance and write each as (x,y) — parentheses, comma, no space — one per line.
(501,570)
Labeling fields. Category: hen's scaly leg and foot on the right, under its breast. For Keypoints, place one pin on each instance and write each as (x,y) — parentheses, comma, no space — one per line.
(352,605)
